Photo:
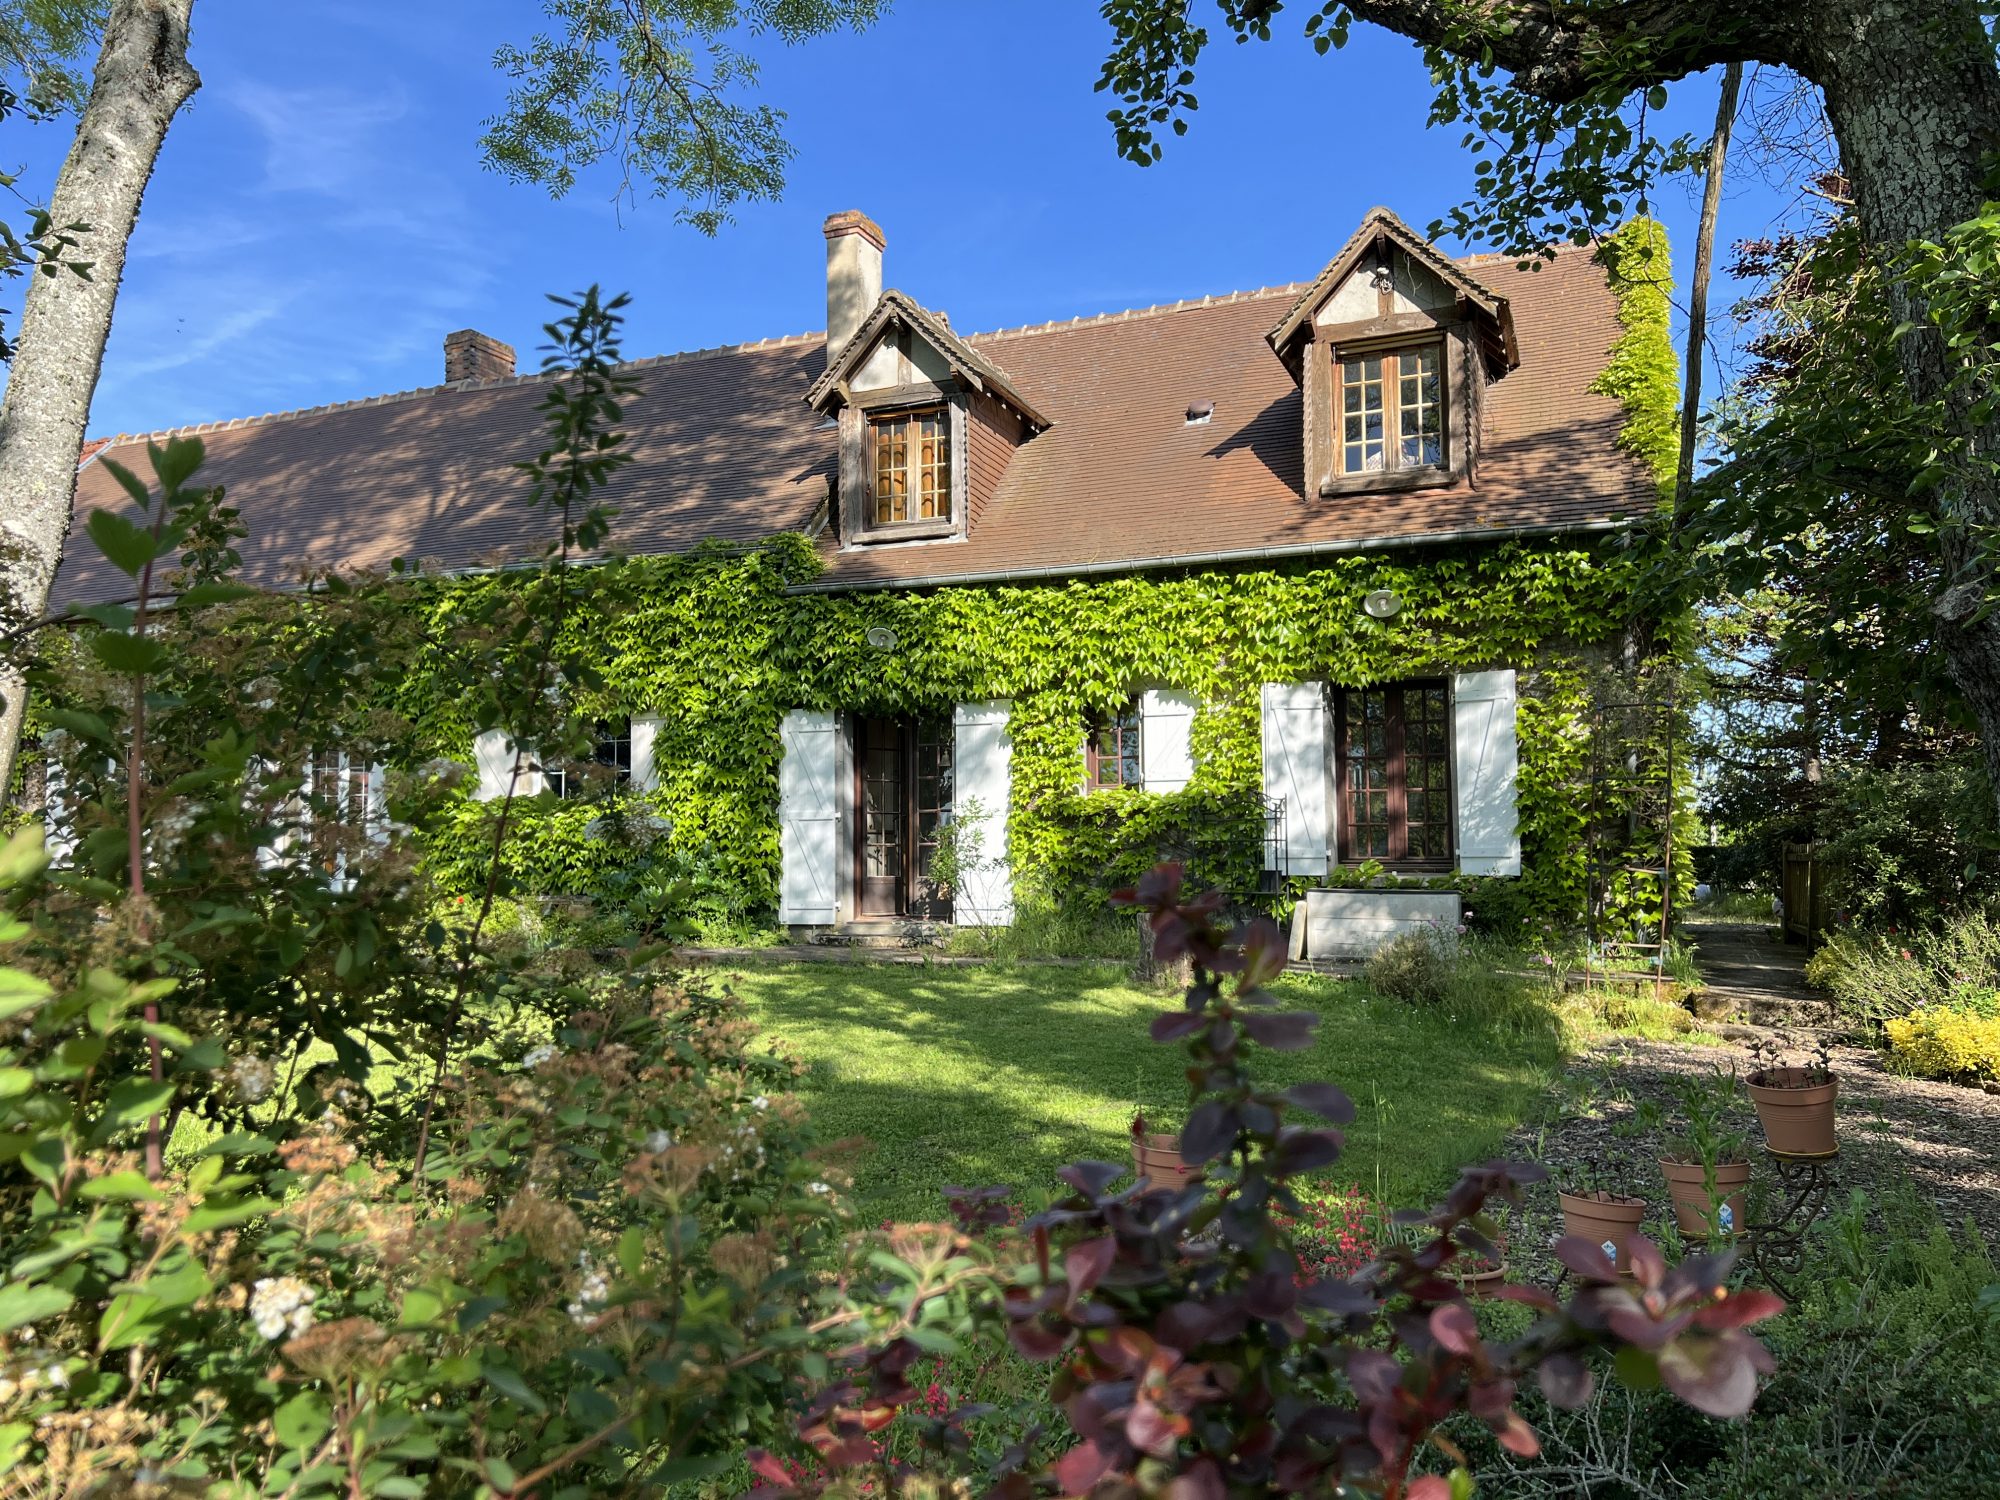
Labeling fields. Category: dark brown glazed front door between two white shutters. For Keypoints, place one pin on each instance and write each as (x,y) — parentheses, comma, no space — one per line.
(905,795)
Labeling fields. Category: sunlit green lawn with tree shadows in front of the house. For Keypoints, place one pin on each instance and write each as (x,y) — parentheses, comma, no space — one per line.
(1003,1075)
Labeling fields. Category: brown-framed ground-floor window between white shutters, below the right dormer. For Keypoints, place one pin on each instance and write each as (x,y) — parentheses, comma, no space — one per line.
(1395,753)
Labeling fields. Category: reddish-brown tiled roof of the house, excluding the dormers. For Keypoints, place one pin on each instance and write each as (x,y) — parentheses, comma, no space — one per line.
(727,449)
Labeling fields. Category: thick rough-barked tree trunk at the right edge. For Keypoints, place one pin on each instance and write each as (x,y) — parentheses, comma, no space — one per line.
(1915,101)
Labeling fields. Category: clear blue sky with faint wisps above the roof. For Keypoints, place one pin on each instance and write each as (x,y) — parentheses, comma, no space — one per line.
(321,217)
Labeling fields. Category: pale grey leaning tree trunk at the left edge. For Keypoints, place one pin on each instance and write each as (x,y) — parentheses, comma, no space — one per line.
(141,83)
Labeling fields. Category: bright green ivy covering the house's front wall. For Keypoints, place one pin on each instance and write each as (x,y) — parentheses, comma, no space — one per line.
(721,651)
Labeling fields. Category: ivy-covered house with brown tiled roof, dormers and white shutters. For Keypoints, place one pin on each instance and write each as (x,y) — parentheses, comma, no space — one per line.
(1329,561)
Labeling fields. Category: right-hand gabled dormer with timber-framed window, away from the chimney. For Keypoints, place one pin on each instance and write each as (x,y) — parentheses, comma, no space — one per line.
(1393,347)
